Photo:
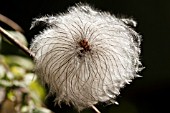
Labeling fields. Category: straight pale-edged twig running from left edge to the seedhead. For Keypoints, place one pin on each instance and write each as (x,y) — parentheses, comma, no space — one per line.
(14,41)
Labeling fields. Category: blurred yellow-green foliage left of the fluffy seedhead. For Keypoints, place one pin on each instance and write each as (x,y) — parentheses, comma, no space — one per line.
(20,91)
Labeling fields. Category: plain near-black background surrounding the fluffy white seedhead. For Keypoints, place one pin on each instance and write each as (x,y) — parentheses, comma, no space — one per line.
(148,94)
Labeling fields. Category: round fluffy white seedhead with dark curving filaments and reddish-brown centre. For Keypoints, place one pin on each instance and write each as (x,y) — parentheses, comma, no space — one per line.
(85,56)
